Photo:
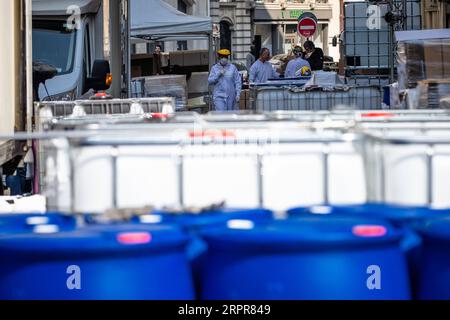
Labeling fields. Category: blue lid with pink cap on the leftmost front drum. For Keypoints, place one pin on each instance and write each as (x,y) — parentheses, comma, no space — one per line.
(96,239)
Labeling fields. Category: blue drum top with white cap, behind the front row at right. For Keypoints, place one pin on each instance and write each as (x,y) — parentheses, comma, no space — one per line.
(391,212)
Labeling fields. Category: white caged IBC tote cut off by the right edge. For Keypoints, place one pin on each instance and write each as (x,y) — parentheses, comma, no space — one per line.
(409,166)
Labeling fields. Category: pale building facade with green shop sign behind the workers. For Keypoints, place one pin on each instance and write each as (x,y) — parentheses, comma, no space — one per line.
(267,23)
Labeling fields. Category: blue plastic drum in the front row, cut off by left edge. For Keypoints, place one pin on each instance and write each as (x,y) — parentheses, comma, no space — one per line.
(102,262)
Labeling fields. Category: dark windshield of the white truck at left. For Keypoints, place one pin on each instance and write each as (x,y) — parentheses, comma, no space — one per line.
(53,44)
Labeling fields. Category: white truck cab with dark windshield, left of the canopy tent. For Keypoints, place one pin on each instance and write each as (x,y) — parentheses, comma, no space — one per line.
(67,35)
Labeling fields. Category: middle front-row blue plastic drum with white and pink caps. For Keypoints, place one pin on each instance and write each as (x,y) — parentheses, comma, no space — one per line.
(335,258)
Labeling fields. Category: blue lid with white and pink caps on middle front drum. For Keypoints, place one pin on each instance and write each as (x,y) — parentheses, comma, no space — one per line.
(303,233)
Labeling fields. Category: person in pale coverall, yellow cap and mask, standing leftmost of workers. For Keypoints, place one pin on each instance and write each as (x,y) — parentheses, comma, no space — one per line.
(227,83)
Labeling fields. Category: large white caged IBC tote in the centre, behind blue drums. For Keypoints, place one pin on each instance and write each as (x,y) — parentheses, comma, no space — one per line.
(277,168)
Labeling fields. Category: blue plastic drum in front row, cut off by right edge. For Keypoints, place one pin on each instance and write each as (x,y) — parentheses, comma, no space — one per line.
(434,267)
